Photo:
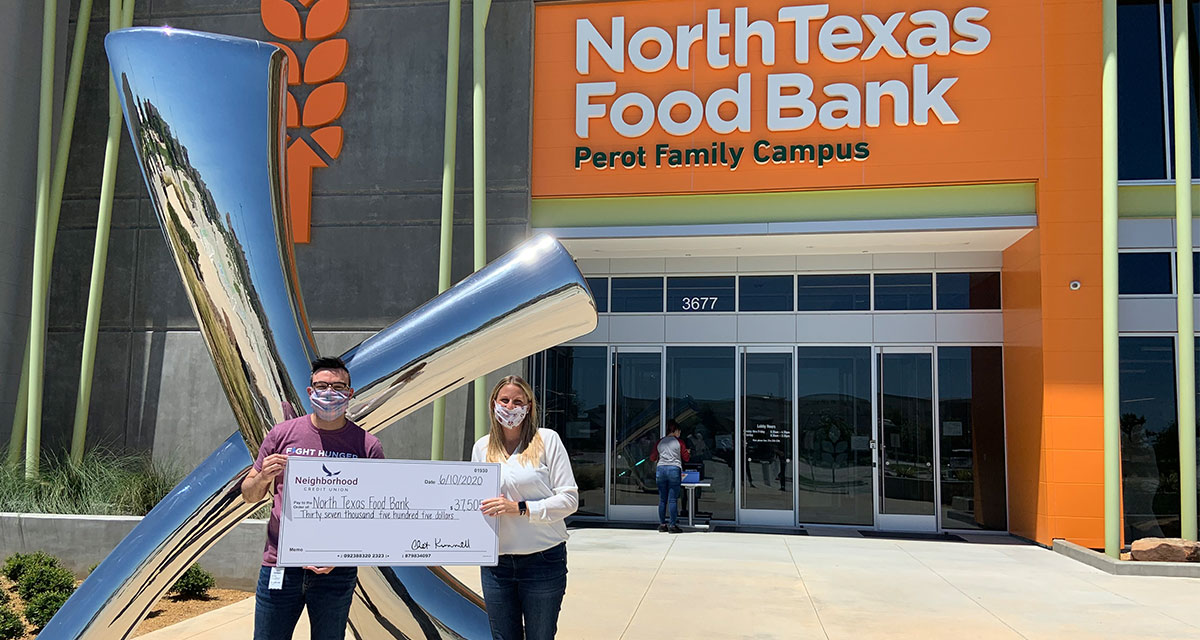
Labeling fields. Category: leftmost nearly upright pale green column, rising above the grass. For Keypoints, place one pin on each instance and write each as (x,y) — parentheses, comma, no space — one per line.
(38,306)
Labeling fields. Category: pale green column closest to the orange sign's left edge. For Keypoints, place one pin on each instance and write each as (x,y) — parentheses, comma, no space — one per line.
(479,115)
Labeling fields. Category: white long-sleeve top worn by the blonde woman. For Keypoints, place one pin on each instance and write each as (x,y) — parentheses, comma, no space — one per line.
(549,491)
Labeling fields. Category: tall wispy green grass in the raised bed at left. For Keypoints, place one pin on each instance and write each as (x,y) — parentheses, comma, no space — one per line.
(103,485)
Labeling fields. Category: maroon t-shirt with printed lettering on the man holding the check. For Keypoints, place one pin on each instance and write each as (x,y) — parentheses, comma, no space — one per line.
(298,436)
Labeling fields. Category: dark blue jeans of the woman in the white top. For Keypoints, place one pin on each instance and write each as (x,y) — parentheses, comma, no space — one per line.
(526,588)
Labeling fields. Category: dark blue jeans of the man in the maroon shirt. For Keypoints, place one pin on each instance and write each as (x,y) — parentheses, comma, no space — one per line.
(328,599)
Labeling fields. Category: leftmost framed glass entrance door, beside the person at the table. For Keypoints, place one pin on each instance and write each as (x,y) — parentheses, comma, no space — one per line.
(637,429)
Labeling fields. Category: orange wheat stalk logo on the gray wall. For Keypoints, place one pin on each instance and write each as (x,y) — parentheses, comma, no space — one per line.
(313,139)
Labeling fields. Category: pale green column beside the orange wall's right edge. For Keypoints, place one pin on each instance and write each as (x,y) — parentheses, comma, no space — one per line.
(1109,285)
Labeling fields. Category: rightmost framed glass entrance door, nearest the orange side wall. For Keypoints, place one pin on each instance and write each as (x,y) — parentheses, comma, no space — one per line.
(908,459)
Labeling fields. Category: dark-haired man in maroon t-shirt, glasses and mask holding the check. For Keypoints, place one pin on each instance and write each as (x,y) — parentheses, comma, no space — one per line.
(327,591)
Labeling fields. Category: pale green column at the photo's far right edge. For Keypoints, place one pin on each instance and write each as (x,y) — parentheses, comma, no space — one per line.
(1186,342)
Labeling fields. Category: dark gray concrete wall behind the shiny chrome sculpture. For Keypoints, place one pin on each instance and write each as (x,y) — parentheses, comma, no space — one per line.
(375,238)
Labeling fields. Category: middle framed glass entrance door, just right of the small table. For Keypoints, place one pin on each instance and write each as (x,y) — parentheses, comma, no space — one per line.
(766,433)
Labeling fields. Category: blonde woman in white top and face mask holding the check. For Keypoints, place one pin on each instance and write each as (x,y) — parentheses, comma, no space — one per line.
(525,591)
